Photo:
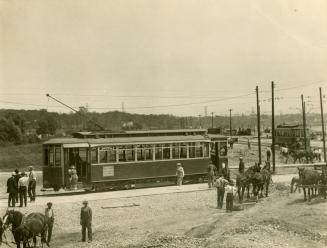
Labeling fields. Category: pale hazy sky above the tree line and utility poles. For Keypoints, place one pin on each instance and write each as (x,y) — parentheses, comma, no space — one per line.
(184,57)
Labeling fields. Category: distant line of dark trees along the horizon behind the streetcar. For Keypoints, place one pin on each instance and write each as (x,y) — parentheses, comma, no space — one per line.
(29,126)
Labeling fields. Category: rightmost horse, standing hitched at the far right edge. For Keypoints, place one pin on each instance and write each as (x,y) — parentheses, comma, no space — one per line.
(310,179)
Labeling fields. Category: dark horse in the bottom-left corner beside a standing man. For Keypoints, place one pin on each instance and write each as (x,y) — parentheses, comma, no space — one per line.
(26,228)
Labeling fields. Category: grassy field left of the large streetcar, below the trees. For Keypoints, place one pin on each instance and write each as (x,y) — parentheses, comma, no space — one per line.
(22,156)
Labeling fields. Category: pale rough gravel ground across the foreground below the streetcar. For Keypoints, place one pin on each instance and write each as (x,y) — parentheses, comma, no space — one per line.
(191,220)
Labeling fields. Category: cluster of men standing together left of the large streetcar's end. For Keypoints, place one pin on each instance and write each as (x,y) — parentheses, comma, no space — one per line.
(19,184)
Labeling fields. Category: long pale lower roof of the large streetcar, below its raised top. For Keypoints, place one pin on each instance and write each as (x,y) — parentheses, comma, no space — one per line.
(125,140)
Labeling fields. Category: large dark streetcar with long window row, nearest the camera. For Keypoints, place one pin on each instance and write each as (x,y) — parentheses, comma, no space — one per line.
(131,159)
